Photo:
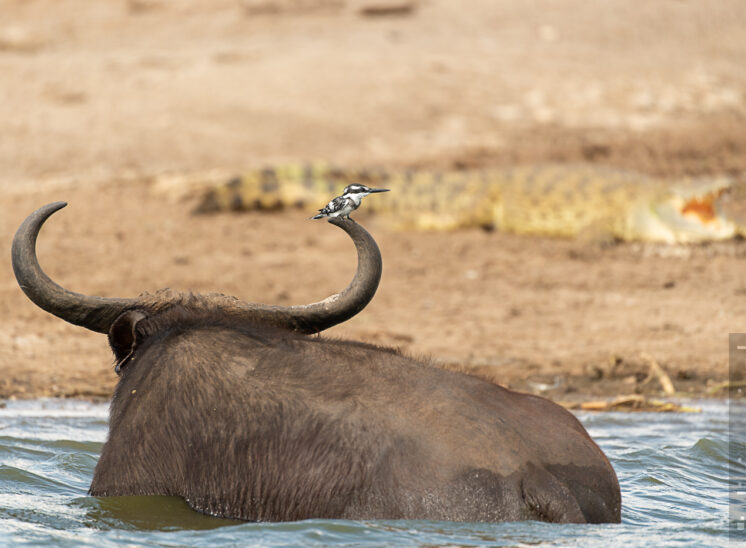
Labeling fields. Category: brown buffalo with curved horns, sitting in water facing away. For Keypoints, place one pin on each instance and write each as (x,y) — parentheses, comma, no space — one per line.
(235,408)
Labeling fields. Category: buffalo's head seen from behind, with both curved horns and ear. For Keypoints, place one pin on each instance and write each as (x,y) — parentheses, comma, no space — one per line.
(128,321)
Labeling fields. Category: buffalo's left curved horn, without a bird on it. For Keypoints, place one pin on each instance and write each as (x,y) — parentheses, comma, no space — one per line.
(94,313)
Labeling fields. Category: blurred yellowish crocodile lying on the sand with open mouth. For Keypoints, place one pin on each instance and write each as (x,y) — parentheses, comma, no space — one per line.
(548,200)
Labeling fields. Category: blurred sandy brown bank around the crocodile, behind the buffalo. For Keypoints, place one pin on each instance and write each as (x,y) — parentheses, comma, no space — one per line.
(102,100)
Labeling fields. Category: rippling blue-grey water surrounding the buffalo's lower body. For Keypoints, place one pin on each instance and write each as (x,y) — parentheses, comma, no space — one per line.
(673,469)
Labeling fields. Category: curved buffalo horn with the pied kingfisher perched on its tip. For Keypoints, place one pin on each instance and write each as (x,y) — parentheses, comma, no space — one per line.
(315,317)
